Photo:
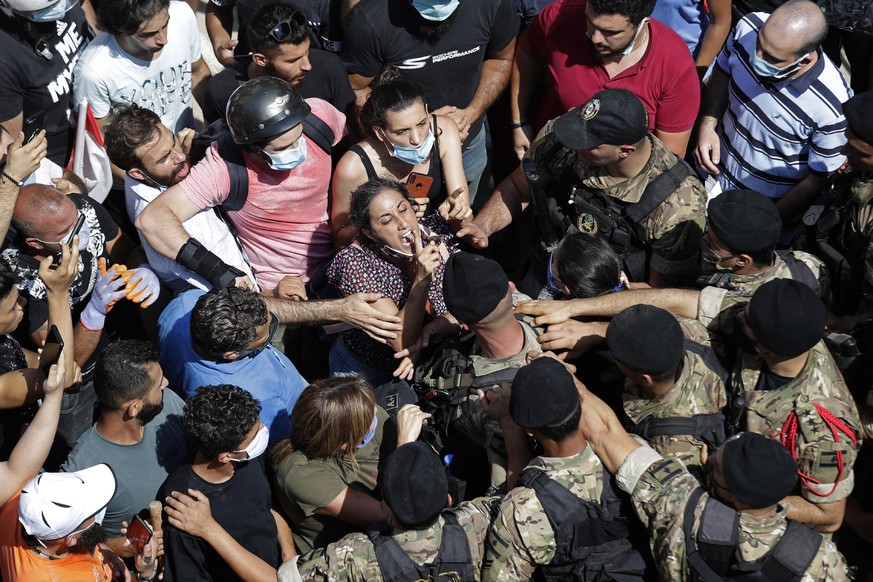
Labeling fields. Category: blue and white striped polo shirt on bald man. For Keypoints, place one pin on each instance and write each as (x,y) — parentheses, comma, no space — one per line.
(774,133)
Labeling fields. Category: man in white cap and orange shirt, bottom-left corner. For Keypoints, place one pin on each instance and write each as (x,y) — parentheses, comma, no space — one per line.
(57,539)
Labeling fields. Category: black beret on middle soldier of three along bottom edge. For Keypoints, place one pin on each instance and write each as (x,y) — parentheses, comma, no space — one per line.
(543,395)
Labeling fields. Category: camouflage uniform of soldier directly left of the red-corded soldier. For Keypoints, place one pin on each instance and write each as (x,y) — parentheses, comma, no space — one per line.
(698,390)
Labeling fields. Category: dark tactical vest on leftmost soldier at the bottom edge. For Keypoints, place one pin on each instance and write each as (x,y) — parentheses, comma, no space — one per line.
(454,562)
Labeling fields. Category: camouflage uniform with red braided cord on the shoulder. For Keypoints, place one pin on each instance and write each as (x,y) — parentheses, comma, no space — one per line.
(821,383)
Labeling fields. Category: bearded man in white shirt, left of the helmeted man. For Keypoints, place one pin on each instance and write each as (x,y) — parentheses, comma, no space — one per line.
(153,160)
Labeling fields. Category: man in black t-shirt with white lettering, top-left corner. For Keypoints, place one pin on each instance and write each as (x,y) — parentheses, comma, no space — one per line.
(41,45)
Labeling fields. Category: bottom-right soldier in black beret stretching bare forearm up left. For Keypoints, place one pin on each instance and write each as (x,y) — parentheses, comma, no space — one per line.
(749,474)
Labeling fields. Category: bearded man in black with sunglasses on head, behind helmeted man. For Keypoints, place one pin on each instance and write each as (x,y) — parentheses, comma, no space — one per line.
(281,47)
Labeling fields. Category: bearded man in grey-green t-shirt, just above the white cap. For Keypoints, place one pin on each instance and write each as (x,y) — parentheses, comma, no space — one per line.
(139,433)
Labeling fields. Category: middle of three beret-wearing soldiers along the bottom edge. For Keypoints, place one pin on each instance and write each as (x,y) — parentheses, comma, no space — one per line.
(545,401)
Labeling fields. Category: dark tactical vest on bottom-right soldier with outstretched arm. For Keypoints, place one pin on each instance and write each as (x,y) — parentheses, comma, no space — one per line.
(713,556)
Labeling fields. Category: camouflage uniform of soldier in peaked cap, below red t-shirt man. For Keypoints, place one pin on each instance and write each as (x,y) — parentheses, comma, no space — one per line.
(673,230)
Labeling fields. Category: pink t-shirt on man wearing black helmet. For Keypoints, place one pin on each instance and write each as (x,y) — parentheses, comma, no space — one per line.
(284,225)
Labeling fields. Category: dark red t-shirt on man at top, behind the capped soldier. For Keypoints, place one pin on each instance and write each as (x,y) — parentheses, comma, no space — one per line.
(665,79)
